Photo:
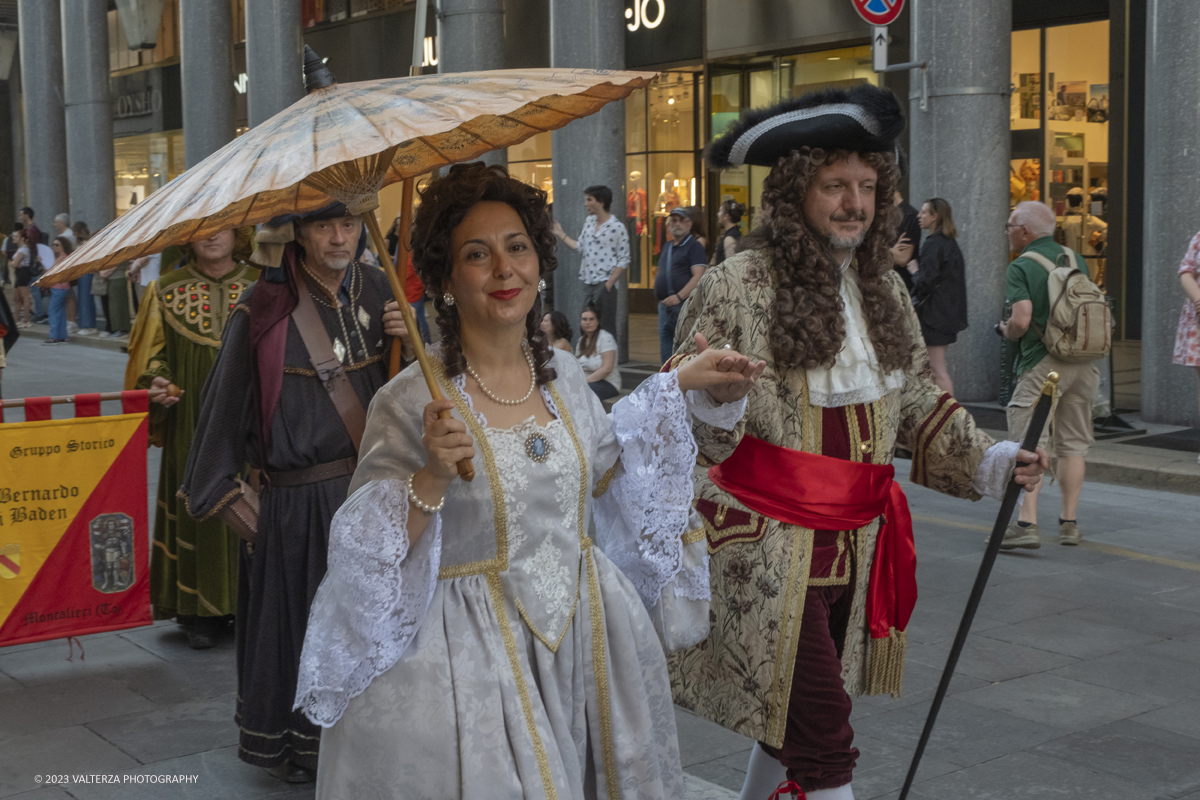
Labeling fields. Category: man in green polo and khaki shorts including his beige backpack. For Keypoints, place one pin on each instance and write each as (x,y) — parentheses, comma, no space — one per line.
(1064,326)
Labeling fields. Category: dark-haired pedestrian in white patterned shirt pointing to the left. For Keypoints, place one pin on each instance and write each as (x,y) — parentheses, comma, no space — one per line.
(604,245)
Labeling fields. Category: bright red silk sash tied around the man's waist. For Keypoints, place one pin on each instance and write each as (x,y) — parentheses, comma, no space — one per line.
(826,494)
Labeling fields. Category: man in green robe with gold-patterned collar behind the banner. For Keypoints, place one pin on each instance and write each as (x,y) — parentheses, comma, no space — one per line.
(194,566)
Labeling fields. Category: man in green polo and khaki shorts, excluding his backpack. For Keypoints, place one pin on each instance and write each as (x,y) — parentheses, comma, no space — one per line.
(1031,231)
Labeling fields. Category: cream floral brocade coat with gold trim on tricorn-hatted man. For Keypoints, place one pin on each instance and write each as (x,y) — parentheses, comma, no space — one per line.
(761,569)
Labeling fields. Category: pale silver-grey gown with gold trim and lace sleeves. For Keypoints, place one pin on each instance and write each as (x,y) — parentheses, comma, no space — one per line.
(518,651)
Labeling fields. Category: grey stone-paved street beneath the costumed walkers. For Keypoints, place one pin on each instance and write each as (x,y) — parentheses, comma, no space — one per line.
(1082,678)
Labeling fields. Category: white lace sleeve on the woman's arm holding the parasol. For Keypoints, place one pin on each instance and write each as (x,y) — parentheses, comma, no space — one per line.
(371,603)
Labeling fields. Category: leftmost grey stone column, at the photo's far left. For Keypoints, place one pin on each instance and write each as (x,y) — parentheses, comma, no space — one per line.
(46,139)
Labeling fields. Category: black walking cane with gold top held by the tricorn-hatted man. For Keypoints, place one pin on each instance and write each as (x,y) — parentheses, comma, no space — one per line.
(1041,414)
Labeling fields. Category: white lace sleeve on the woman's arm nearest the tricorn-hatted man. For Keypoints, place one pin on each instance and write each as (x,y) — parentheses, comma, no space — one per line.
(643,516)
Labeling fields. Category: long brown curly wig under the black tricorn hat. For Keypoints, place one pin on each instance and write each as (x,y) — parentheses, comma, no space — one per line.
(807,327)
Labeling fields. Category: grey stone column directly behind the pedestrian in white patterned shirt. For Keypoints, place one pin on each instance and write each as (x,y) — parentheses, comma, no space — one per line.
(592,151)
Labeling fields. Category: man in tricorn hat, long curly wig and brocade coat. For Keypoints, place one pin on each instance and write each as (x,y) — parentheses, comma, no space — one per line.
(811,593)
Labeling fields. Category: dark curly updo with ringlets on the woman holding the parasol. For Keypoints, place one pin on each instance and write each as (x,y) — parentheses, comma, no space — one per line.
(445,204)
